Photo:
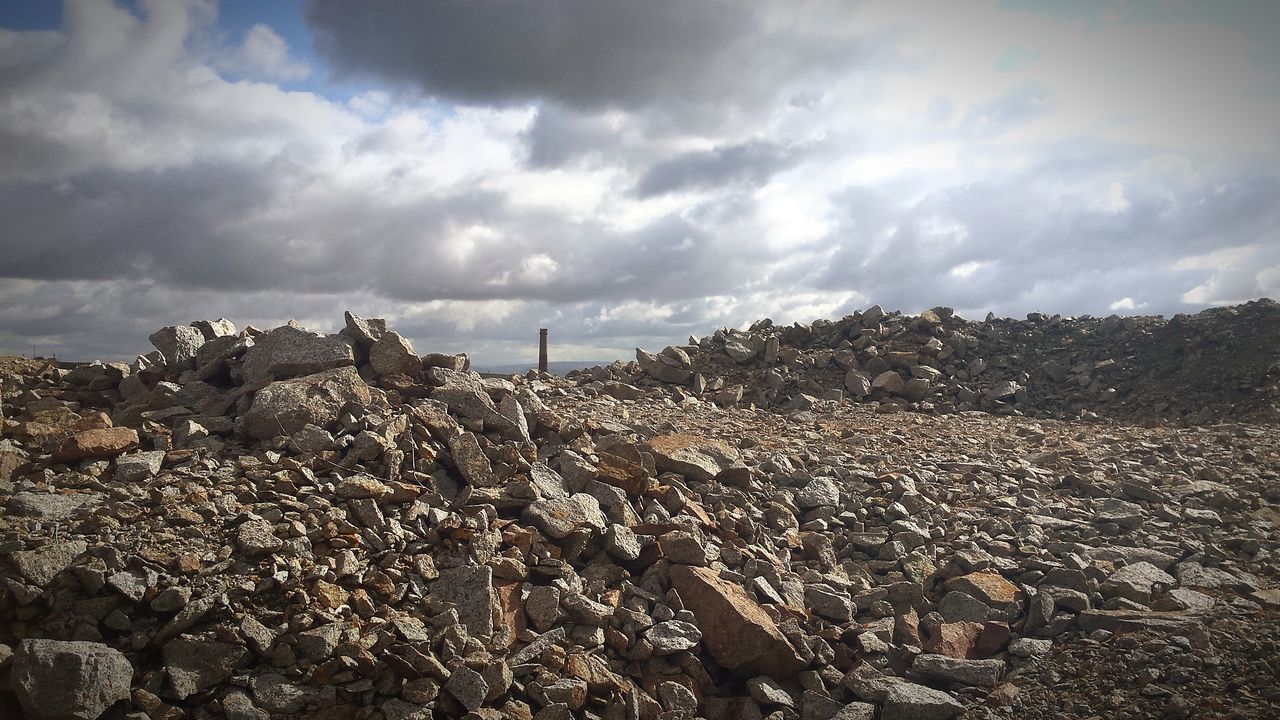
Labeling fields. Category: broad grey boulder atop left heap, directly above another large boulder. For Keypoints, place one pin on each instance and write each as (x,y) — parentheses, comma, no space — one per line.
(290,353)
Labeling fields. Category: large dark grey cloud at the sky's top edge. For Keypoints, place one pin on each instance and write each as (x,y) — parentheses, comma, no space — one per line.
(582,53)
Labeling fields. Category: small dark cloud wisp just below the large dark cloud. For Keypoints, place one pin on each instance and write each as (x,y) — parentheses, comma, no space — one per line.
(751,163)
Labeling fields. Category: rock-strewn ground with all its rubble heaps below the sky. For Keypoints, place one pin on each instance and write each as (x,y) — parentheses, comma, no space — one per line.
(286,525)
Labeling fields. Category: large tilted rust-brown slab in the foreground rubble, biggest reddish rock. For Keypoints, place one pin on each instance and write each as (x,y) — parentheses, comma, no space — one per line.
(737,632)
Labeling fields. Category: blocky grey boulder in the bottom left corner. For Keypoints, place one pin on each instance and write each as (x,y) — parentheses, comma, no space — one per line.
(70,681)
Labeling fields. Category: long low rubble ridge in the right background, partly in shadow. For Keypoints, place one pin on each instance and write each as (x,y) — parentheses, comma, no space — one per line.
(1220,364)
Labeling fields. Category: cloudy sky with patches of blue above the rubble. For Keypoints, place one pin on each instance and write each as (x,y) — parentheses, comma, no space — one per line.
(623,172)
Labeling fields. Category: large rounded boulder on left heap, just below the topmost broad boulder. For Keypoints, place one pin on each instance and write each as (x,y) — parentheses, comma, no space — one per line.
(287,407)
